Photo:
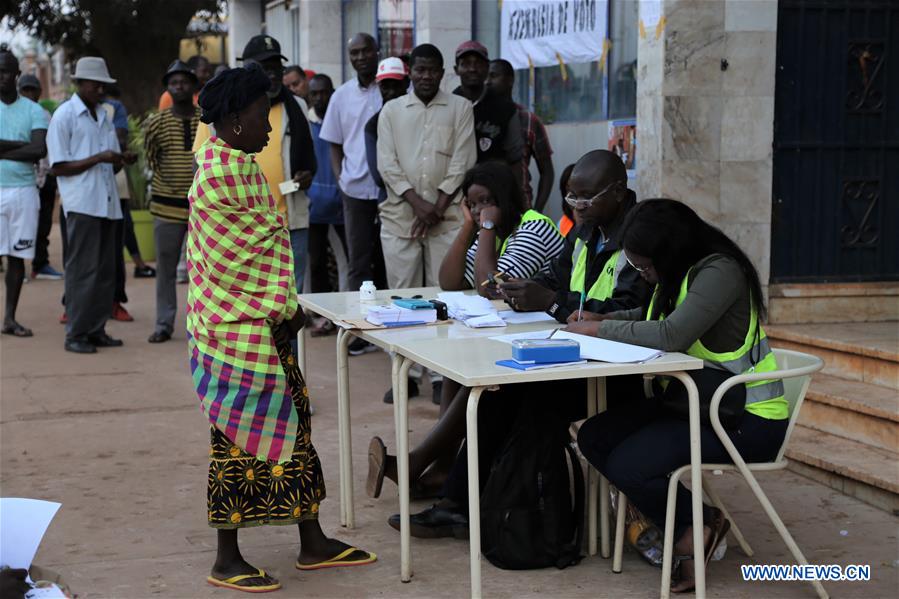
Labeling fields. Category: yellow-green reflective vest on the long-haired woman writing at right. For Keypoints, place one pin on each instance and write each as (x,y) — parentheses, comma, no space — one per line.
(754,355)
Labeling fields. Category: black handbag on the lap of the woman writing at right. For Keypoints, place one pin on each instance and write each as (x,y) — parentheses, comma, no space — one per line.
(732,406)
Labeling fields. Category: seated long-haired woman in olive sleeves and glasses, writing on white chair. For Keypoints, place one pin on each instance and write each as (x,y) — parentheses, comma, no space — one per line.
(707,303)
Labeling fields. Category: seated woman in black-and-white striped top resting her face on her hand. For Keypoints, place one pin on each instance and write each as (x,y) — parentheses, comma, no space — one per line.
(497,234)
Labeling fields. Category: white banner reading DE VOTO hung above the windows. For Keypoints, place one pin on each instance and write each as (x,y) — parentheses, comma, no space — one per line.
(544,33)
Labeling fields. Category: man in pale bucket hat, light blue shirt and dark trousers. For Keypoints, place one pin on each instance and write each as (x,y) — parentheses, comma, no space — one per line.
(85,155)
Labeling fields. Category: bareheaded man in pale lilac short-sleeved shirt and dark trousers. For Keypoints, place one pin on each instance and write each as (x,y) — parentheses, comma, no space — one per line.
(351,106)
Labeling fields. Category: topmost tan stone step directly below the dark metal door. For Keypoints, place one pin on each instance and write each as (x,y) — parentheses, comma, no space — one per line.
(833,302)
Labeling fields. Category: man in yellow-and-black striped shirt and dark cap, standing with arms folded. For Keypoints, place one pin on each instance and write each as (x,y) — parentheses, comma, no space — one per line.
(168,139)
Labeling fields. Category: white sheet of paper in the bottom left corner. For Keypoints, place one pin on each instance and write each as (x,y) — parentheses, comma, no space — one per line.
(23,523)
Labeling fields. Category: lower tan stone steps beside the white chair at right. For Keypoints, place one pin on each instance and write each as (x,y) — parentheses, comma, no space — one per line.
(847,435)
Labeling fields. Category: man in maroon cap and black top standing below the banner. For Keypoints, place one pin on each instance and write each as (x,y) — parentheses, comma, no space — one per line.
(496,123)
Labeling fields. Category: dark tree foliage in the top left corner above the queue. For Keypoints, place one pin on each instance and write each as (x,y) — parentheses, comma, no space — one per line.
(138,38)
